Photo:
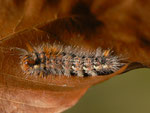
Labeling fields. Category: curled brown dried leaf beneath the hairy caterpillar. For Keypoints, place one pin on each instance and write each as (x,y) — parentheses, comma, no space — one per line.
(89,24)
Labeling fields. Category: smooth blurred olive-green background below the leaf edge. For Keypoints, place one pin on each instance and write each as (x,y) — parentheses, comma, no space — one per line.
(126,93)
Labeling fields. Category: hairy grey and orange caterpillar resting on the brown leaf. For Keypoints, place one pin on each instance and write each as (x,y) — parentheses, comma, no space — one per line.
(57,59)
